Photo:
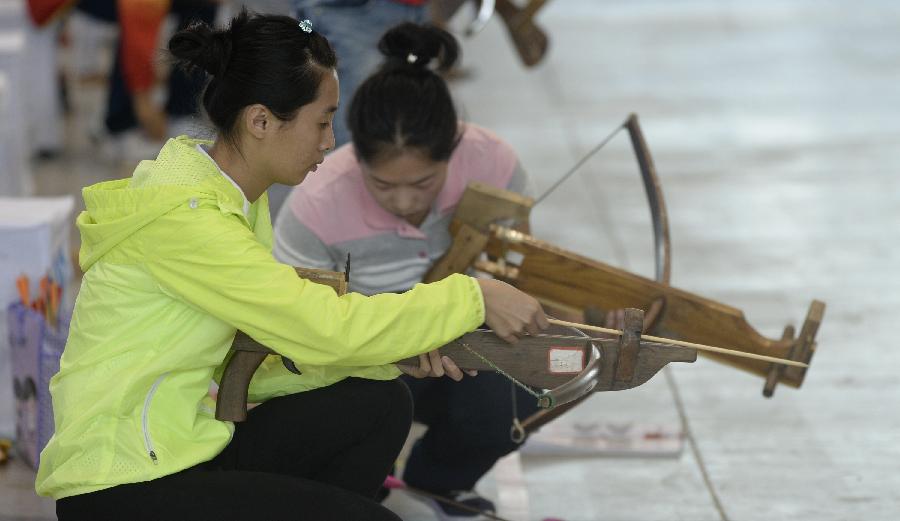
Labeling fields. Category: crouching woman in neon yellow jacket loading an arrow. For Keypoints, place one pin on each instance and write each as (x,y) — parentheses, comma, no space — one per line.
(177,257)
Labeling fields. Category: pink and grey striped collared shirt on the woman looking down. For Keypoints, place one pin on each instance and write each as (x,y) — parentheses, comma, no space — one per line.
(332,214)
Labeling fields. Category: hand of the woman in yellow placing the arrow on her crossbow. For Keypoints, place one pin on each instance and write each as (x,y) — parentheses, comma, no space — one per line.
(509,312)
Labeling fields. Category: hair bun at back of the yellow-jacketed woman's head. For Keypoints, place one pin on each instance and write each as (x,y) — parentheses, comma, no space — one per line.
(201,47)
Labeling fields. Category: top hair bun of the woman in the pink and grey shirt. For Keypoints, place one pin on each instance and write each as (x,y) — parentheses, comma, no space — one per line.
(417,45)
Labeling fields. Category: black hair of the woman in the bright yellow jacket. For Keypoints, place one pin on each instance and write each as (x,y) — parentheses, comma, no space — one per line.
(265,59)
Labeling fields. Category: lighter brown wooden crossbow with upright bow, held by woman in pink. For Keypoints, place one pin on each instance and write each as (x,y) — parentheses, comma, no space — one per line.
(565,280)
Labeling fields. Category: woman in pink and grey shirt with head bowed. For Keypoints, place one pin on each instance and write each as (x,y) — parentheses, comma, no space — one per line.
(387,199)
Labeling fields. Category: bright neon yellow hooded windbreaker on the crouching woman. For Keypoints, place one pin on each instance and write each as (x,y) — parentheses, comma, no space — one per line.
(172,268)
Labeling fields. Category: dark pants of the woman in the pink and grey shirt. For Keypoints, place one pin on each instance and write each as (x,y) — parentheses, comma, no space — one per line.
(468,429)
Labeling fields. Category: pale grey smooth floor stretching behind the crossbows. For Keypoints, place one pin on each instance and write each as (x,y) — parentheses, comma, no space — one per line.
(774,126)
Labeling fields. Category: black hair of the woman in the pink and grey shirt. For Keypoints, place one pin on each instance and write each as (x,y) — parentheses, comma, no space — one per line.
(406,103)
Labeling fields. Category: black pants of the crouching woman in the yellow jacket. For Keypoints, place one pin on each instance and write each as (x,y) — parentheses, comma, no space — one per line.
(319,456)
